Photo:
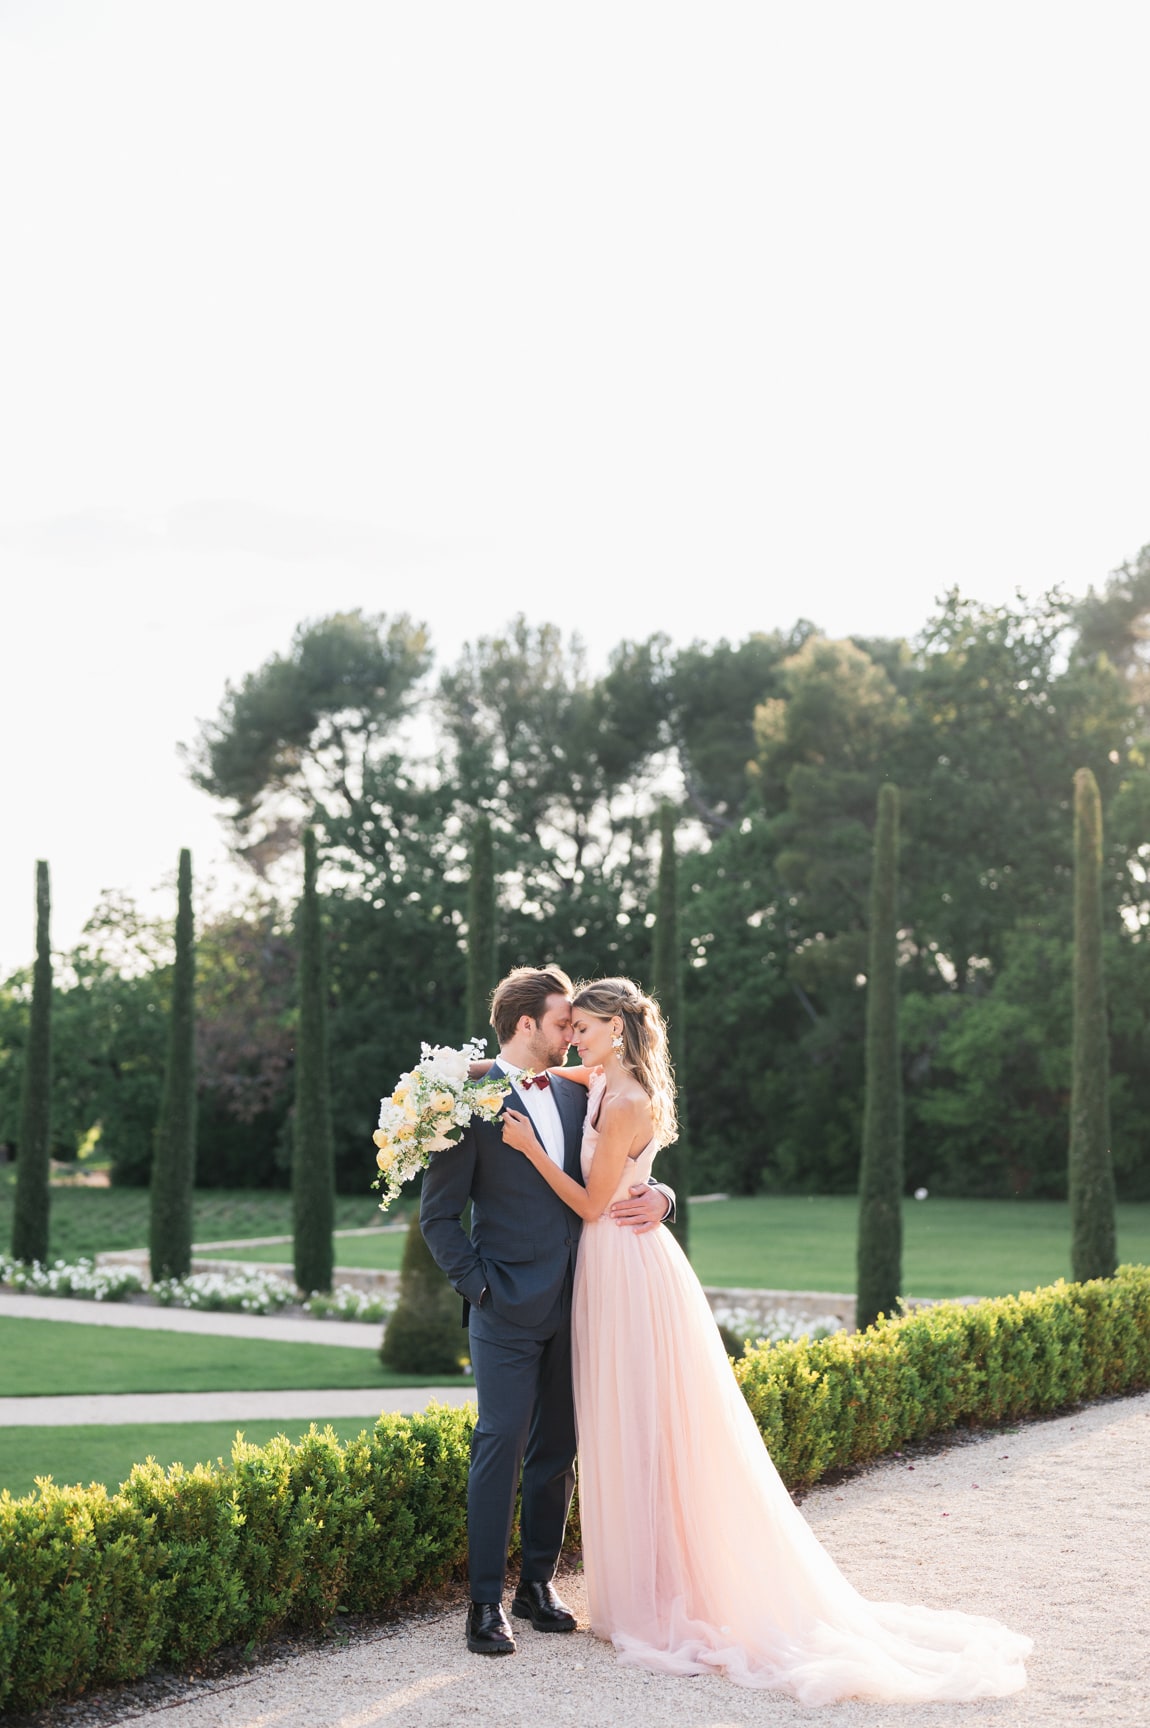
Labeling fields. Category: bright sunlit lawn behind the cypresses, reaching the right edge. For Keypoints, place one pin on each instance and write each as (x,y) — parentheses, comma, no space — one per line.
(952,1247)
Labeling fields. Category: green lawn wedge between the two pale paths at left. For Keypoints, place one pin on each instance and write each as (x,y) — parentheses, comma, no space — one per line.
(63,1357)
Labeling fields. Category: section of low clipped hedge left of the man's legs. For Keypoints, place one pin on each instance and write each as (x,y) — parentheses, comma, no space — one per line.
(99,1589)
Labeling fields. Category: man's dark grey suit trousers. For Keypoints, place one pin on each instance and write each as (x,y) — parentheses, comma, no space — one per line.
(526,1420)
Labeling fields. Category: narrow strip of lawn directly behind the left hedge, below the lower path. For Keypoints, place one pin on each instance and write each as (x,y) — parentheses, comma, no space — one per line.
(108,1454)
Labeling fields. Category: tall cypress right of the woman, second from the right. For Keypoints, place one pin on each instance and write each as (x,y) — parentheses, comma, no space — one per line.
(881,1174)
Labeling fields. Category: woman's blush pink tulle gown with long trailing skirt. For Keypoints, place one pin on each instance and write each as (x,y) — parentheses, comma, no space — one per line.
(695,1553)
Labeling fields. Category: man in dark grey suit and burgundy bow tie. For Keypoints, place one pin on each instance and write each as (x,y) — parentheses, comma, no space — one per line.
(515,1278)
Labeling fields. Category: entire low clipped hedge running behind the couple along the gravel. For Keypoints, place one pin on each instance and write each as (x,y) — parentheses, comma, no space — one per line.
(99,1589)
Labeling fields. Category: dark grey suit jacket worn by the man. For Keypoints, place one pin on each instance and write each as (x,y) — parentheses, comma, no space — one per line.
(524,1240)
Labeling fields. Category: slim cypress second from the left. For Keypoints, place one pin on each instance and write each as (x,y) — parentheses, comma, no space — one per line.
(174,1167)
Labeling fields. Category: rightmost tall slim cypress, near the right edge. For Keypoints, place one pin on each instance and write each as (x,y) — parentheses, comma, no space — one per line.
(1094,1247)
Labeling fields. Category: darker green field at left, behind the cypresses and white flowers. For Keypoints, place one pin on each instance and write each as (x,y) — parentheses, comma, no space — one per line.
(89,1221)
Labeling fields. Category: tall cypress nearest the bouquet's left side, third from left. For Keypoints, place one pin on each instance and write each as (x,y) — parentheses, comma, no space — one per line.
(313,1155)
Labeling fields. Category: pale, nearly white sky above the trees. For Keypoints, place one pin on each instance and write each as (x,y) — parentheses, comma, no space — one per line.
(631,317)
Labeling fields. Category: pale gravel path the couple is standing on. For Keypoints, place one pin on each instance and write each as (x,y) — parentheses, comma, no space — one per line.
(1044,1527)
